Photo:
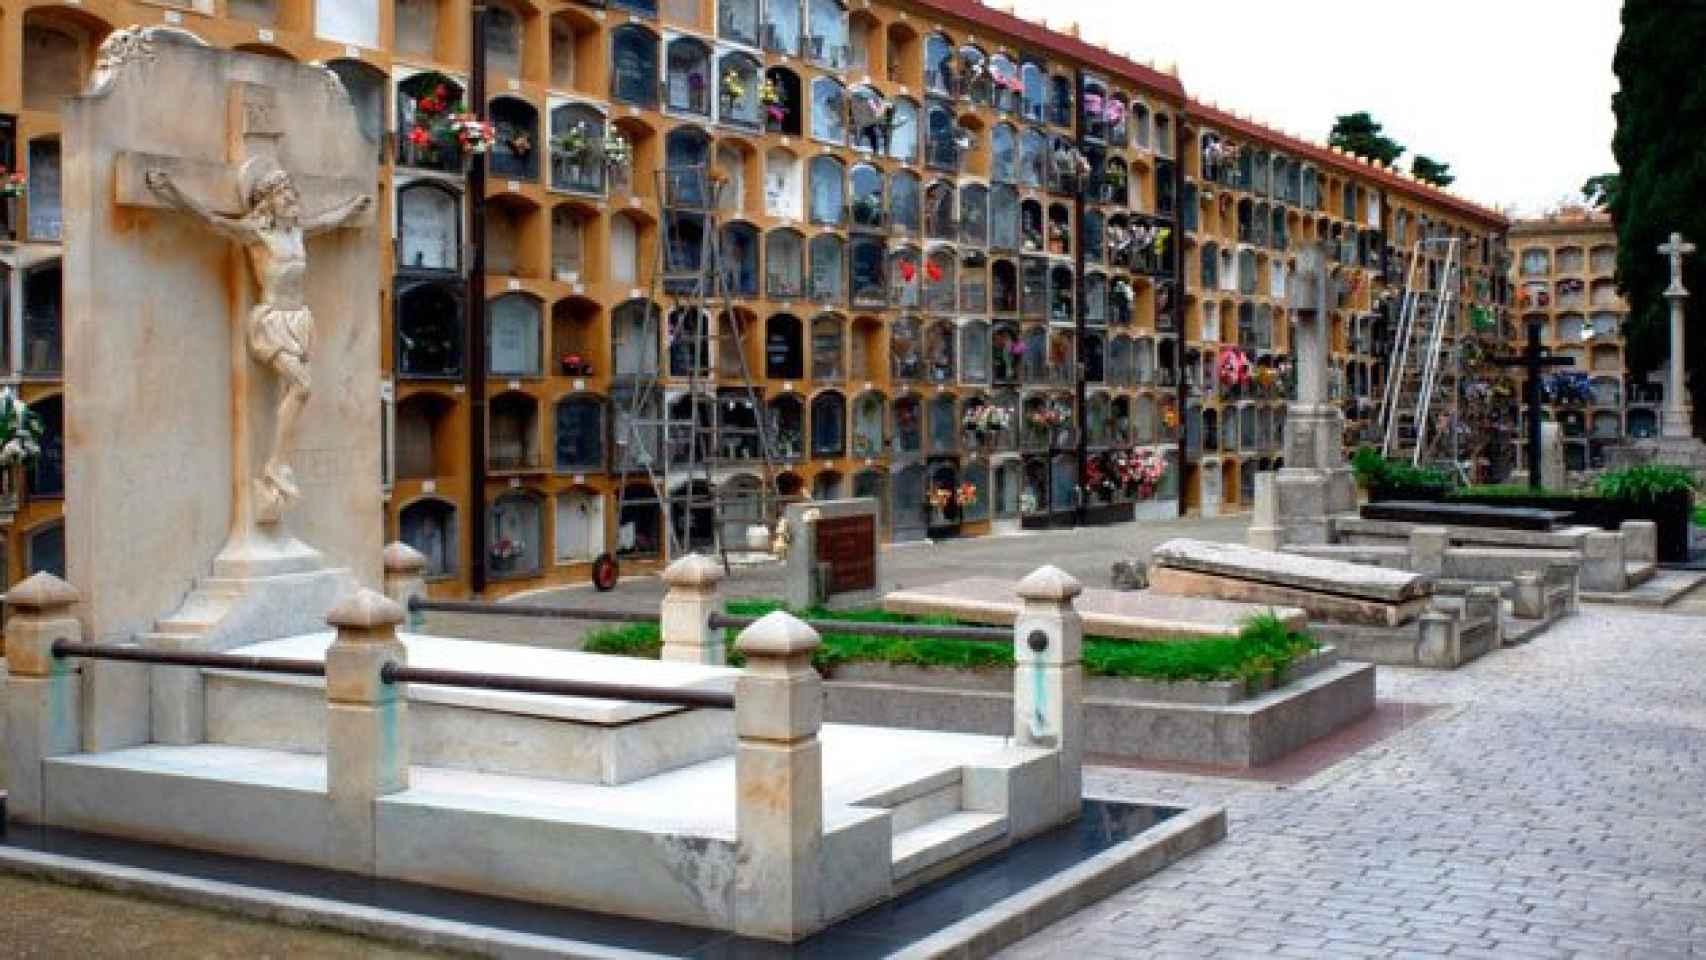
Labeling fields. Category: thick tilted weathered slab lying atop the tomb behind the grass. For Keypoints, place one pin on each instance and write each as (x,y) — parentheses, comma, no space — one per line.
(1292,570)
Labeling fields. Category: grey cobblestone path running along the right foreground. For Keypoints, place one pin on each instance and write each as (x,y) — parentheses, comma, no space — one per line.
(1555,809)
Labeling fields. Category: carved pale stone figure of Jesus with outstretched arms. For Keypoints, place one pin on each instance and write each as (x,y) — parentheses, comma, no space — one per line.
(281,325)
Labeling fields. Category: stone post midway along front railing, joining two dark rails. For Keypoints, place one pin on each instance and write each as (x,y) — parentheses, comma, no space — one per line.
(368,744)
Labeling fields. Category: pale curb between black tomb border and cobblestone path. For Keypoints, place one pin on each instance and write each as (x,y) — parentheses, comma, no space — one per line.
(1019,917)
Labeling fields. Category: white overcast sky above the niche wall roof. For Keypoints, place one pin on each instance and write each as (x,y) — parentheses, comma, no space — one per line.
(1516,95)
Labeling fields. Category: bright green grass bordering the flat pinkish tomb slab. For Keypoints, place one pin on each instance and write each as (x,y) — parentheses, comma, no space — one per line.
(1262,649)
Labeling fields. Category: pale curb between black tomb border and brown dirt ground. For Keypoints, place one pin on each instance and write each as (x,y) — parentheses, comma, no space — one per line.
(293,910)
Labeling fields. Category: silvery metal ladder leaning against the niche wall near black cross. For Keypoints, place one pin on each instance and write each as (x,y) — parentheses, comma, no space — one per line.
(1419,381)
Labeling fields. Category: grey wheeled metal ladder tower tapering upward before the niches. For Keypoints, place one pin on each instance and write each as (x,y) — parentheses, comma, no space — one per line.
(678,431)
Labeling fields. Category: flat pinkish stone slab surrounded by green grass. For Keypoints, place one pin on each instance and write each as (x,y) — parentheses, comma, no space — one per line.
(1120,615)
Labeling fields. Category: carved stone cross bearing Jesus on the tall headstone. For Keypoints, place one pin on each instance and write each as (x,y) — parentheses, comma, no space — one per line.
(257,202)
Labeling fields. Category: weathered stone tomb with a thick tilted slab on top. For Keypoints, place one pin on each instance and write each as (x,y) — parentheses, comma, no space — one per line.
(1369,613)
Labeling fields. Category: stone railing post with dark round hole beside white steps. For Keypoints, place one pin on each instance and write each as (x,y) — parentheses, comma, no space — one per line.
(1048,678)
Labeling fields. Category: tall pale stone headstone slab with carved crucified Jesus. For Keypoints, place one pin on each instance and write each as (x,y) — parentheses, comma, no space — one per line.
(221,352)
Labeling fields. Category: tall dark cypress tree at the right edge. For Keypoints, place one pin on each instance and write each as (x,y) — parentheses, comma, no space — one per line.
(1661,173)
